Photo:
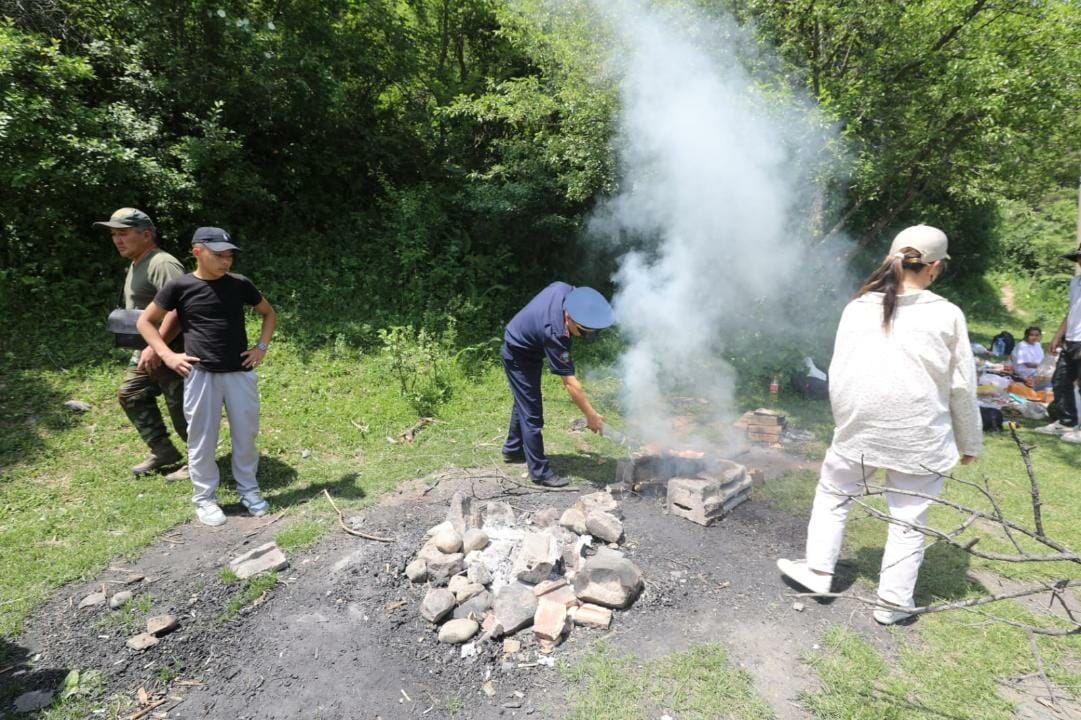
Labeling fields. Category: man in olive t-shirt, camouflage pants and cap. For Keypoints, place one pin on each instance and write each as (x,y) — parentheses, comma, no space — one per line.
(146,378)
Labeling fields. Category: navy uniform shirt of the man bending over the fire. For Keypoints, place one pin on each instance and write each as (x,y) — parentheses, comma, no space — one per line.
(539,330)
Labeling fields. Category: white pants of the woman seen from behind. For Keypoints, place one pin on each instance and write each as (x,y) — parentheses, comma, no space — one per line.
(904,546)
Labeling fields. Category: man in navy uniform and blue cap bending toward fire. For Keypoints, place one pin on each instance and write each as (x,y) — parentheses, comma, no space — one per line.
(544,329)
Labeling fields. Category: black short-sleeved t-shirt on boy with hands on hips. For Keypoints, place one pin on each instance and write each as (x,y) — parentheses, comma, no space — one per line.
(212,316)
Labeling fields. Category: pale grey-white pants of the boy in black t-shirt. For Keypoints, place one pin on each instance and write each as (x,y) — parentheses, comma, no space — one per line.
(205,393)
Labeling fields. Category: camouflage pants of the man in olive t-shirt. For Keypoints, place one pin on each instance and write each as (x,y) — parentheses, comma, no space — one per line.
(139,397)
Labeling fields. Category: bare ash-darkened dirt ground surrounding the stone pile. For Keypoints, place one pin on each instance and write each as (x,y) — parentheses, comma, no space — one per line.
(341,636)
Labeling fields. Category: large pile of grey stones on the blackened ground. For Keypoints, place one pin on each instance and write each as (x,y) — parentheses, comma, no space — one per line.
(492,574)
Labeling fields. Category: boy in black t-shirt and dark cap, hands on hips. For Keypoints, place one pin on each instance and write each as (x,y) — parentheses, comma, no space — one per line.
(216,366)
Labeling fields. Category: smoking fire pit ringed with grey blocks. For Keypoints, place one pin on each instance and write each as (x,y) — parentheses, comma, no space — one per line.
(700,489)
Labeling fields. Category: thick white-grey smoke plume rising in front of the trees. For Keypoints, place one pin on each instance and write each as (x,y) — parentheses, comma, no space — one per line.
(720,178)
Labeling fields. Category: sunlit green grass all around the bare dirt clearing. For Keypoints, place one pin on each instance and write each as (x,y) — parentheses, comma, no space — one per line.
(331,420)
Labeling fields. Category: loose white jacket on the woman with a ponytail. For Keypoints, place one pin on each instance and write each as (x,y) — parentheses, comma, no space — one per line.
(905,401)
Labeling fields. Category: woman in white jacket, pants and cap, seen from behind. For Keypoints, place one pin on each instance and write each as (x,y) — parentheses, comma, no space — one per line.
(903,390)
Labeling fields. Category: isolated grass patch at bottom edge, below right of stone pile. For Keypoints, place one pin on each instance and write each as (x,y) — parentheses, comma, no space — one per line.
(696,685)
